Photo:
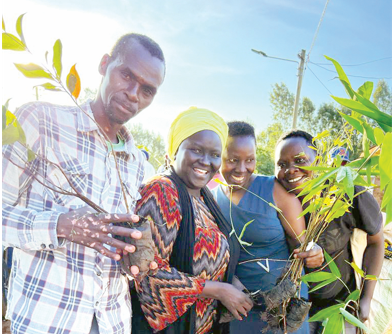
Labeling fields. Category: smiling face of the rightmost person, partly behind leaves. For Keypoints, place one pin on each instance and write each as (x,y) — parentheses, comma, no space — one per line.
(290,155)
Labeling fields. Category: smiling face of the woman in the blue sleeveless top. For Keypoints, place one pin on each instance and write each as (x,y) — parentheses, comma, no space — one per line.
(239,161)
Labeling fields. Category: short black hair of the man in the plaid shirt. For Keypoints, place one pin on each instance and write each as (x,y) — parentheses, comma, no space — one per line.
(149,44)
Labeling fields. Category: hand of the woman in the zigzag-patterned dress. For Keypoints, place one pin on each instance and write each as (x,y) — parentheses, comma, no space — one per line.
(237,302)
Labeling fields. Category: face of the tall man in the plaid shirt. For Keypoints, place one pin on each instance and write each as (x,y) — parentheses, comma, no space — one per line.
(130,82)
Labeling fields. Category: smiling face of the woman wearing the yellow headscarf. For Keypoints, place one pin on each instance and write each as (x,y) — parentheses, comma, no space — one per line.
(198,159)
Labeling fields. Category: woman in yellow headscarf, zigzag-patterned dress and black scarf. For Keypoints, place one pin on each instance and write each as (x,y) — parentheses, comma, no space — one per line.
(195,254)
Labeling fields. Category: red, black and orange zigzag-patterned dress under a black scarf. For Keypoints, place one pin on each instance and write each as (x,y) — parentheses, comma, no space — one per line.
(167,295)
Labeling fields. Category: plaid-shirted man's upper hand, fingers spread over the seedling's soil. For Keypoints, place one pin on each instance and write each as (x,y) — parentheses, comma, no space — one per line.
(91,229)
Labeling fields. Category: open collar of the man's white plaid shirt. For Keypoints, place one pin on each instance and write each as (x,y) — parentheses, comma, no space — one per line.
(86,123)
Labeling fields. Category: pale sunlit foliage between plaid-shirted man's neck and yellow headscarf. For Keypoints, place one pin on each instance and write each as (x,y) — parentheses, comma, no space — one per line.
(152,142)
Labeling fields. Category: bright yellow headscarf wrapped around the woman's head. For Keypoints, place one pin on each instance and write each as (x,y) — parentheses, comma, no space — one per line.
(191,121)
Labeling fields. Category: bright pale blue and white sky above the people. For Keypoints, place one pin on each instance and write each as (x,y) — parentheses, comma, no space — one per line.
(207,45)
